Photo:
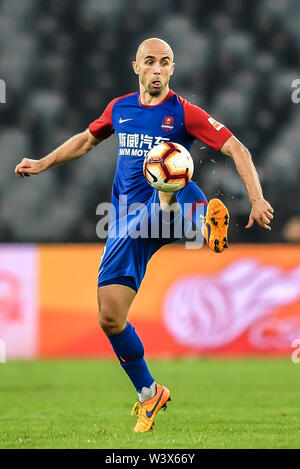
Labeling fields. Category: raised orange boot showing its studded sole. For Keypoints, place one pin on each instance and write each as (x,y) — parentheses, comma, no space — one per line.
(216,224)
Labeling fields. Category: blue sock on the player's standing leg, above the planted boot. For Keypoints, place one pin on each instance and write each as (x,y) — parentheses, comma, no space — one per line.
(130,351)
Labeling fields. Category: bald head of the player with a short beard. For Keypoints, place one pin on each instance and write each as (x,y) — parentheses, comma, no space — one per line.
(154,65)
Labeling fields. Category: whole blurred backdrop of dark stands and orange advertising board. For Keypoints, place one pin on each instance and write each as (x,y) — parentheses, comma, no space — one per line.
(62,62)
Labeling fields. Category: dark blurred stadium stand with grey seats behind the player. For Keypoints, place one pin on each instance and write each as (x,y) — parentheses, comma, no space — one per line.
(63,61)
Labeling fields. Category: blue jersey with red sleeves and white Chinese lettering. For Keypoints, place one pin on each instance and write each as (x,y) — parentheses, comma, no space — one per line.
(141,127)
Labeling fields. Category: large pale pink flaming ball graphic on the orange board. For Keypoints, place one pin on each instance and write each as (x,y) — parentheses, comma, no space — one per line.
(212,311)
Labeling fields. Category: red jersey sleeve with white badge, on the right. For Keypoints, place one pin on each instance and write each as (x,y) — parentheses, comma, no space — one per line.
(201,125)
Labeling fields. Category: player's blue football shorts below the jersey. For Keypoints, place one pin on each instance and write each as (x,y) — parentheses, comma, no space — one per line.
(125,258)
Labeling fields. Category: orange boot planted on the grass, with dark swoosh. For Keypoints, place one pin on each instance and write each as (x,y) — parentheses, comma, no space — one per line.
(147,411)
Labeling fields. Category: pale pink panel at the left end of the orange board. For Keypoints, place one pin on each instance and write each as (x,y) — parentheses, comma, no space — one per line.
(19,300)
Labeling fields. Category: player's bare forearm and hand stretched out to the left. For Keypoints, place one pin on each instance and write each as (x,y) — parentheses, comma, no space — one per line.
(72,149)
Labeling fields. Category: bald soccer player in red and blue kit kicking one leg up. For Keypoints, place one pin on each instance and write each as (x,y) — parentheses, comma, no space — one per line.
(153,115)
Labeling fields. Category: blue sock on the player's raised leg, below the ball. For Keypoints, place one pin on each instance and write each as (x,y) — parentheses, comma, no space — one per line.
(192,195)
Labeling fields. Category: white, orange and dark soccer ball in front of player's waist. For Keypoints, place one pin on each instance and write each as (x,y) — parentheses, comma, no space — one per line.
(168,167)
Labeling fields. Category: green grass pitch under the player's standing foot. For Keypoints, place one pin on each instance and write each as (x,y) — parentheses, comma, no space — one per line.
(87,404)
